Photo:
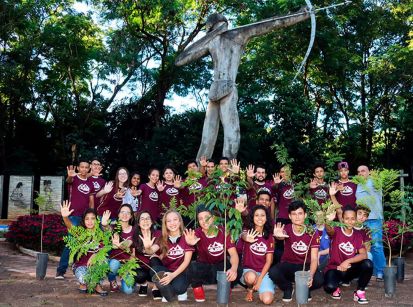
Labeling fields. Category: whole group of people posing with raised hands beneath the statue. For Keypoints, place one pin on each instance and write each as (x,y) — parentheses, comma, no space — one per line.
(275,242)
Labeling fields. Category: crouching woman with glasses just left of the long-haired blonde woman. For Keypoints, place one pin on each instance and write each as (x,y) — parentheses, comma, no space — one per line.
(146,241)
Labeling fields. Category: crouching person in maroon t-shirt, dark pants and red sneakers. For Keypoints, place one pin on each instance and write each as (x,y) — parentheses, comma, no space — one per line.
(210,241)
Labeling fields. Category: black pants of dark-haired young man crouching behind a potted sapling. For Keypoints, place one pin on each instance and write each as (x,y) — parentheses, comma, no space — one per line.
(283,275)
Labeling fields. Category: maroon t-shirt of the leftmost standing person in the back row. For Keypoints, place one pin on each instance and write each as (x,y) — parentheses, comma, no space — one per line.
(79,191)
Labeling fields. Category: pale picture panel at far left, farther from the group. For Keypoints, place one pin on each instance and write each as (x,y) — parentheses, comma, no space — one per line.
(20,197)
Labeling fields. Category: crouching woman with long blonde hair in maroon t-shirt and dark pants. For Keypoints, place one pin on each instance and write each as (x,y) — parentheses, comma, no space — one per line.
(175,255)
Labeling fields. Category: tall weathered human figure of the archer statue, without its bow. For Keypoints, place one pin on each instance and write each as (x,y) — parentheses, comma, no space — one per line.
(226,48)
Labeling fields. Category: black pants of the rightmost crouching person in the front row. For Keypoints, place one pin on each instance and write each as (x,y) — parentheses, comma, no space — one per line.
(363,270)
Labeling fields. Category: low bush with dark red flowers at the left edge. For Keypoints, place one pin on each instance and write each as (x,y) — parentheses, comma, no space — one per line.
(26,232)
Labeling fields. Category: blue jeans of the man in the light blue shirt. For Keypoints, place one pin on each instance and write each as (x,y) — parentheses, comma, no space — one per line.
(377,251)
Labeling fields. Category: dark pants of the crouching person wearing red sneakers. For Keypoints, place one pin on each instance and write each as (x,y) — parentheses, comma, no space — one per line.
(206,273)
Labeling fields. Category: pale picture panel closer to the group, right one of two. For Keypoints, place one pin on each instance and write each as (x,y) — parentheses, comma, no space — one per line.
(51,187)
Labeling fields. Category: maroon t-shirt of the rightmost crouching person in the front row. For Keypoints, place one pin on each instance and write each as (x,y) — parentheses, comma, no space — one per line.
(343,247)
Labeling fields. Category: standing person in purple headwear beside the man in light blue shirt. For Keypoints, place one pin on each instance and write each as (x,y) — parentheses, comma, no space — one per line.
(346,190)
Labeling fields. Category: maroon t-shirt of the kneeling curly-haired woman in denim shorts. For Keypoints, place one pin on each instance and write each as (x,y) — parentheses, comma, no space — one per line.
(254,254)
